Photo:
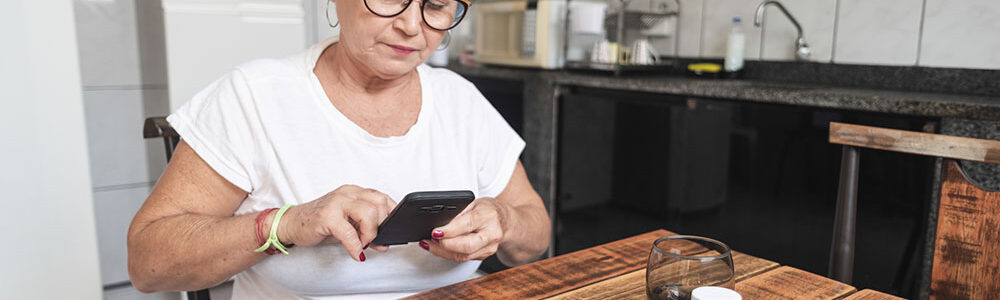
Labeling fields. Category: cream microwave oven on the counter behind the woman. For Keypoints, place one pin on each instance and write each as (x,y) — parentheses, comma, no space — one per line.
(523,33)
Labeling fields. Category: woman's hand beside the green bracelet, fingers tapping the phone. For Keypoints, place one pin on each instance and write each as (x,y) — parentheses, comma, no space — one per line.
(349,215)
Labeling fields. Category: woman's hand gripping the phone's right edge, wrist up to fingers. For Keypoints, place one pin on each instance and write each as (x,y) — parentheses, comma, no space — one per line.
(474,234)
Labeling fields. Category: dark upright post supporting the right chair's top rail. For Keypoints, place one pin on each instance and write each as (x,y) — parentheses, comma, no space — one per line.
(842,248)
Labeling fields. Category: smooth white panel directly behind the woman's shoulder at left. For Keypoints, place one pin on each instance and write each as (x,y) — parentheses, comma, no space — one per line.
(207,38)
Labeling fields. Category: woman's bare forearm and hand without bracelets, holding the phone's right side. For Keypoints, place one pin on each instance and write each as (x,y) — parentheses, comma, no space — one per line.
(514,225)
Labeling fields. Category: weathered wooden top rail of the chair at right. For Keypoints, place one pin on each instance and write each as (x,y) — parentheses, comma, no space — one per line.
(915,142)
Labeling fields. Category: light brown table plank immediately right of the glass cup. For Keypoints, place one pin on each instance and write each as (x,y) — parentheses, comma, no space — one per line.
(791,283)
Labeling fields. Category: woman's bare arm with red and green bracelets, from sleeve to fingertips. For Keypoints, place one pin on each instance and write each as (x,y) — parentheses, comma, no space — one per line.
(185,236)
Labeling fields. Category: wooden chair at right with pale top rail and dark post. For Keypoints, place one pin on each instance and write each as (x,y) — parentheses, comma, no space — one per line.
(966,251)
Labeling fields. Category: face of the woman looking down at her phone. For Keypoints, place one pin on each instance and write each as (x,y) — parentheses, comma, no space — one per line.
(388,47)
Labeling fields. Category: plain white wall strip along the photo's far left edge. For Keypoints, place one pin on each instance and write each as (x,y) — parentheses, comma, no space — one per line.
(48,223)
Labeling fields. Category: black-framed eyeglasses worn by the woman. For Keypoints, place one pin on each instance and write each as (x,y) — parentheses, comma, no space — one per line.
(438,14)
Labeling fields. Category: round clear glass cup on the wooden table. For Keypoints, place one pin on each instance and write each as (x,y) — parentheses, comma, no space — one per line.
(679,264)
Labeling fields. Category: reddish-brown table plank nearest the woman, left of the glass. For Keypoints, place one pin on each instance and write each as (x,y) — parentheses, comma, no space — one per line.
(555,275)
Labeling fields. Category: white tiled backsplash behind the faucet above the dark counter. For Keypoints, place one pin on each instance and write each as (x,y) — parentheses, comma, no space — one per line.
(930,33)
